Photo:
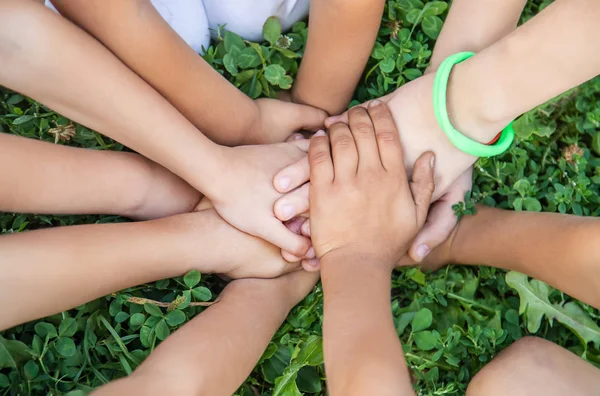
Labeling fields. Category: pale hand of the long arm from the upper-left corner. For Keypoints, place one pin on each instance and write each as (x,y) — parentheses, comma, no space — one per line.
(247,196)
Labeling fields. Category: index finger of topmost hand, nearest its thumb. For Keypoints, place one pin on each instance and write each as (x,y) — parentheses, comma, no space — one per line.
(388,138)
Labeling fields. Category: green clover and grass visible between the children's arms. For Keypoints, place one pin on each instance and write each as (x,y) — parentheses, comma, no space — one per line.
(451,322)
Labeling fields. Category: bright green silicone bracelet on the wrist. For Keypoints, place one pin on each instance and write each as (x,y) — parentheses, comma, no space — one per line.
(463,143)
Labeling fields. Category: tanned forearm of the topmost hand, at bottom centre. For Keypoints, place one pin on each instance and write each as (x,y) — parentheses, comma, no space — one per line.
(362,352)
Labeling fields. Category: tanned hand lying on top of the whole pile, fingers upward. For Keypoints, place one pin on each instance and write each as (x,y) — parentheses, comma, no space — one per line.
(360,198)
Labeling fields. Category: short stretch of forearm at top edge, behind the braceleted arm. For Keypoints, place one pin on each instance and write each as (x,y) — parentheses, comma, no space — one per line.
(473,26)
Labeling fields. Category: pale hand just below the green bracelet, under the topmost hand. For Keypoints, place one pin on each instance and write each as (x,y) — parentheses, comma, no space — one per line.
(412,110)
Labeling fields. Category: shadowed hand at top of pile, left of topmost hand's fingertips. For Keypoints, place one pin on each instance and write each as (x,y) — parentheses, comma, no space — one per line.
(279,119)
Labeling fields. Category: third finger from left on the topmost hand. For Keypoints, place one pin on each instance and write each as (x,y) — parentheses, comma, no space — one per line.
(364,136)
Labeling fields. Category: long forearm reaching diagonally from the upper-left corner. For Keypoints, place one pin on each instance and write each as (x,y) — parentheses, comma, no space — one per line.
(54,62)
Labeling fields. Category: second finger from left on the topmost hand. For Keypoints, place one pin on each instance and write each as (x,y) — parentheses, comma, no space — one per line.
(343,150)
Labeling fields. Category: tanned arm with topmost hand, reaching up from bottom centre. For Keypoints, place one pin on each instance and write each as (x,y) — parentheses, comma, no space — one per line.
(363,217)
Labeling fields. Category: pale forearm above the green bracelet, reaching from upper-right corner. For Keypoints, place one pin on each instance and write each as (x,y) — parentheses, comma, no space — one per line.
(524,69)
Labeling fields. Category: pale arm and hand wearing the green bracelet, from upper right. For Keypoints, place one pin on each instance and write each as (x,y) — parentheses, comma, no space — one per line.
(517,73)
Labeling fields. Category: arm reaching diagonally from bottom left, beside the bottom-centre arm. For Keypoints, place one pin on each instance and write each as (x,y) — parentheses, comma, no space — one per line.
(222,345)
